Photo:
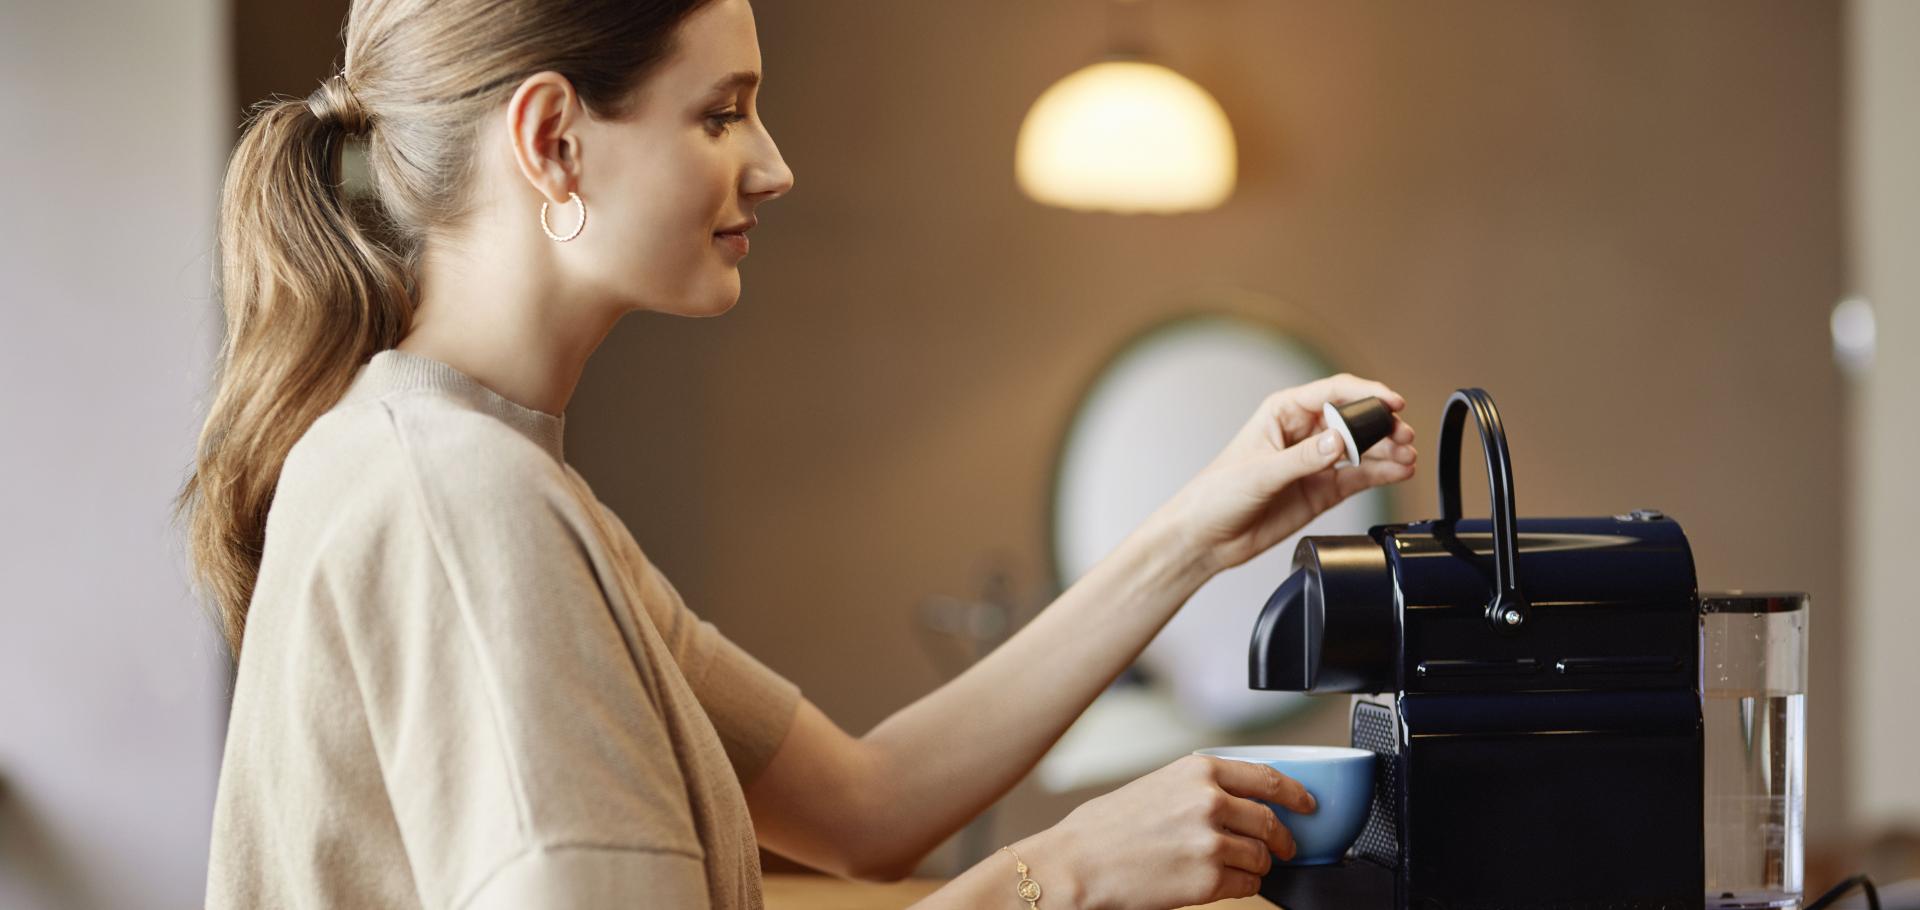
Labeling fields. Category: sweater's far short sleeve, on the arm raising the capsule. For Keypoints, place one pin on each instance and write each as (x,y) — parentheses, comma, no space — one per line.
(748,702)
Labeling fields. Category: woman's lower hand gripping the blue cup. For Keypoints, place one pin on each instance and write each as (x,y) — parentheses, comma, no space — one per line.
(1188,834)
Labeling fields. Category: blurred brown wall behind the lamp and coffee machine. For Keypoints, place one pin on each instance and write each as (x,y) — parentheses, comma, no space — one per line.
(1623,220)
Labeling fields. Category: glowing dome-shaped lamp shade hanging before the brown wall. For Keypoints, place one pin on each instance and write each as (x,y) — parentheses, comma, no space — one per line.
(1126,137)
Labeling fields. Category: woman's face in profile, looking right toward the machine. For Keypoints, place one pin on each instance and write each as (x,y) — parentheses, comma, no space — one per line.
(671,185)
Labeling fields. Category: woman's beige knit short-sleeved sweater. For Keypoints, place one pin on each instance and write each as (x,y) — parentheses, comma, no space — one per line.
(466,686)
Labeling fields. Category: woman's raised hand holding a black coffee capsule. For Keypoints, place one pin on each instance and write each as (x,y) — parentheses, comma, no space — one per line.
(1274,477)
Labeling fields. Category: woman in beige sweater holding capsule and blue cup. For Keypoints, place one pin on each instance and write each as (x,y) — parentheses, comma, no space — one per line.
(462,682)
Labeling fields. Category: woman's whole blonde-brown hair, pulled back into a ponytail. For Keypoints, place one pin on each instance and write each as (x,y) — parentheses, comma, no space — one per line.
(314,281)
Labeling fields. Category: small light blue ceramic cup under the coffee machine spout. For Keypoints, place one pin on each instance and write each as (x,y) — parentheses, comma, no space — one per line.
(1341,782)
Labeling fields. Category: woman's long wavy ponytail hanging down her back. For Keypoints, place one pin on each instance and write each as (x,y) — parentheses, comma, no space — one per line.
(310,297)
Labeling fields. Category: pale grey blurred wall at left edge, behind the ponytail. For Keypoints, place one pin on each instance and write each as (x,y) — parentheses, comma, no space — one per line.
(112,684)
